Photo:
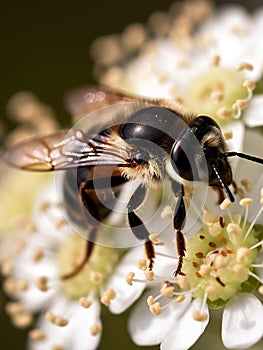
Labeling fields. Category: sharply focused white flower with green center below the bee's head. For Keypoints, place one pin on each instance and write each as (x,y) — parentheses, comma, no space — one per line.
(223,269)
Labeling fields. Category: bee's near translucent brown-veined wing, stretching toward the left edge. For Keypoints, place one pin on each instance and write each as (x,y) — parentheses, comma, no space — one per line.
(63,150)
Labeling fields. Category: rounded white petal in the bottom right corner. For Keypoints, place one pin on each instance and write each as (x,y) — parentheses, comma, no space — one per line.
(242,321)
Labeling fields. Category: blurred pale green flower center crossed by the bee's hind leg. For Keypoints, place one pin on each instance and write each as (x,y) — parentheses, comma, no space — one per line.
(93,275)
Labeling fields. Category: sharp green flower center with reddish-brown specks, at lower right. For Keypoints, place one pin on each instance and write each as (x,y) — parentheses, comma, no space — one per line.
(219,260)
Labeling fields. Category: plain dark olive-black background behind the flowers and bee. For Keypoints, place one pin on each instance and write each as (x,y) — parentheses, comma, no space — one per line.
(45,49)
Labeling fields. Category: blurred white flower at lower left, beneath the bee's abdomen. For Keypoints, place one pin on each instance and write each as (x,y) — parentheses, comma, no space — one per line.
(34,265)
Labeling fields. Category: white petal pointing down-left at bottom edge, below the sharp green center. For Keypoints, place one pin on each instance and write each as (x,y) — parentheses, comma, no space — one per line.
(185,332)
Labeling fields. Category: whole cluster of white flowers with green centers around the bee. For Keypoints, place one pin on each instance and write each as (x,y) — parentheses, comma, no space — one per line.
(210,61)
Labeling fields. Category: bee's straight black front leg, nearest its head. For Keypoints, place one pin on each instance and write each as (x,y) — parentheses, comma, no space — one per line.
(178,224)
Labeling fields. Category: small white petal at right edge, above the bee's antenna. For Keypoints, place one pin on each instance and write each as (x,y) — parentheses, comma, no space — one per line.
(254,112)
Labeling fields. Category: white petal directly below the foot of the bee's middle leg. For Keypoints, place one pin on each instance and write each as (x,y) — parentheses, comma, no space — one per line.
(126,294)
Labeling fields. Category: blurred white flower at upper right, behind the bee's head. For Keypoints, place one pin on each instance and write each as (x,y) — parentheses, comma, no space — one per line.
(210,60)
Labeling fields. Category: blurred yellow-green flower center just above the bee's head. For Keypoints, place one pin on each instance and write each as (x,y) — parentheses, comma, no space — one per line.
(215,89)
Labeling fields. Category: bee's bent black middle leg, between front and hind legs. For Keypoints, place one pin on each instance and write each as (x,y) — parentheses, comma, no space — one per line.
(136,224)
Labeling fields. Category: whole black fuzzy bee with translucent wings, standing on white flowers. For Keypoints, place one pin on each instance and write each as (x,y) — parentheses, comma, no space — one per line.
(136,138)
